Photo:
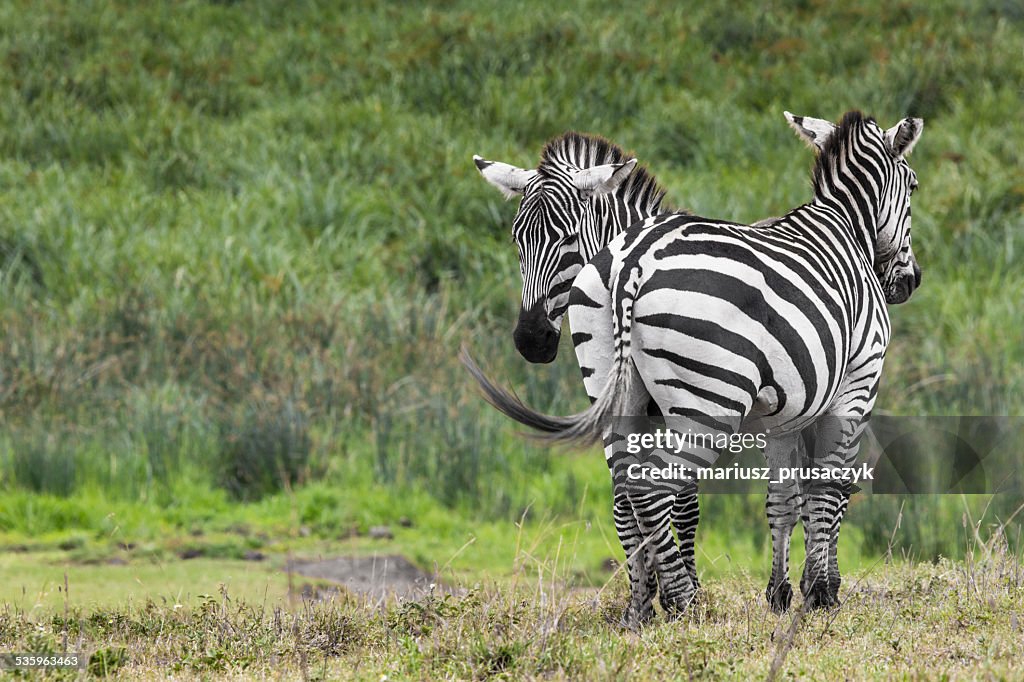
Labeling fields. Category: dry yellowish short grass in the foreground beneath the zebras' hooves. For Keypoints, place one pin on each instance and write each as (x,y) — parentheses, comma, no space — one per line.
(954,621)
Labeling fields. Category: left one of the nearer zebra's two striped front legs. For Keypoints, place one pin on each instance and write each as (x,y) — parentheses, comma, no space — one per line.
(783,506)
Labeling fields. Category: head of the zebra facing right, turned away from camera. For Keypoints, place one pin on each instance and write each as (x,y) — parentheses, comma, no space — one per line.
(881,163)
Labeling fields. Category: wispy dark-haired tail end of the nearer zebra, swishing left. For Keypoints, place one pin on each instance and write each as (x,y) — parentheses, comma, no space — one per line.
(581,430)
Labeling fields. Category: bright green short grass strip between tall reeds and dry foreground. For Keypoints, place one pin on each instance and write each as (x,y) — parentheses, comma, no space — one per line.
(140,555)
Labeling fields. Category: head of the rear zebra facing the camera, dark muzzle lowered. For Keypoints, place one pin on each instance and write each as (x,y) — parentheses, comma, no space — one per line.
(563,222)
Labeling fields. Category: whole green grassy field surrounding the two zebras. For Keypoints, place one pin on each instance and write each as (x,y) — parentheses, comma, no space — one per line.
(242,242)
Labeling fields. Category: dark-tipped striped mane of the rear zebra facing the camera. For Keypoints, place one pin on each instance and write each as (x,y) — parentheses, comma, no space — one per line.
(579,151)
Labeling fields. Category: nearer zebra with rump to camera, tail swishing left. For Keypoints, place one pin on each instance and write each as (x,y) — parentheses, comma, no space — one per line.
(784,326)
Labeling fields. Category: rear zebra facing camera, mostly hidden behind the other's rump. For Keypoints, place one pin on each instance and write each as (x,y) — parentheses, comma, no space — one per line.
(585,192)
